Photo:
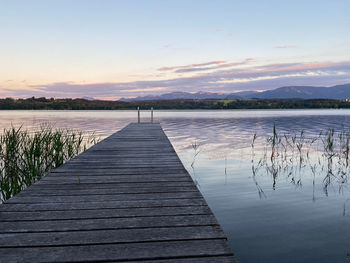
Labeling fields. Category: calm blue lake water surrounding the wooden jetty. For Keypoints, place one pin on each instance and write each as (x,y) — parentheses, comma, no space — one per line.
(266,218)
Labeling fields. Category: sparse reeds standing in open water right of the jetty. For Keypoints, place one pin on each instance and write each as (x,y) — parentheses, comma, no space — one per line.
(294,154)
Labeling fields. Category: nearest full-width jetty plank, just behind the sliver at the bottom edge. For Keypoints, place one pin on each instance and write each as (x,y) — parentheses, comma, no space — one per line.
(118,252)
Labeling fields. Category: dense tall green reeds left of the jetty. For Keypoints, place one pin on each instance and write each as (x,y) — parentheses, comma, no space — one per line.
(26,157)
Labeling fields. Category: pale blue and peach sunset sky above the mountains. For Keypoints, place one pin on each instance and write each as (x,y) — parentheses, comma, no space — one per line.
(108,49)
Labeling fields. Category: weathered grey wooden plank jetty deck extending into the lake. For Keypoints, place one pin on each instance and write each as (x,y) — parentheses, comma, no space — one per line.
(135,203)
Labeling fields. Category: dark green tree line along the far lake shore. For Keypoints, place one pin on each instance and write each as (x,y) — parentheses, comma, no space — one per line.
(82,104)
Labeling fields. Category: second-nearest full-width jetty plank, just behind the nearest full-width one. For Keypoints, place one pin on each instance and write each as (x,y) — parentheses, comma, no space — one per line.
(110,236)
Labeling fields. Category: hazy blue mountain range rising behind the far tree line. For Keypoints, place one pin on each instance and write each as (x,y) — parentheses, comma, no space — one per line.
(340,92)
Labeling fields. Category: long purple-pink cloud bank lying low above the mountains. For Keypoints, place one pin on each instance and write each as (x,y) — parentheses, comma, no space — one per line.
(224,79)
